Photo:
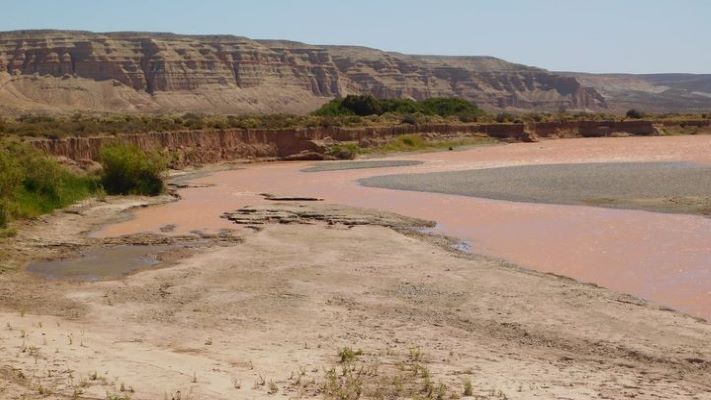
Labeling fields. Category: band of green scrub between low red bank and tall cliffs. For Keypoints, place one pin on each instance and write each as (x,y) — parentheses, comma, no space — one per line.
(391,112)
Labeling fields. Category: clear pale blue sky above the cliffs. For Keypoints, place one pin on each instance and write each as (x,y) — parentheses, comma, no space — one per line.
(640,36)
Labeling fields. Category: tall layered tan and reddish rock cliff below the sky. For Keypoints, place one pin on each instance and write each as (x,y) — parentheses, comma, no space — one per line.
(66,71)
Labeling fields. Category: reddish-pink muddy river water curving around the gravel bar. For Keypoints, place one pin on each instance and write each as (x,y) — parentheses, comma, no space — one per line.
(665,258)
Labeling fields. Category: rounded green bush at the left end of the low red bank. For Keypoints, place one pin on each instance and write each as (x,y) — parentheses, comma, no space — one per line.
(130,170)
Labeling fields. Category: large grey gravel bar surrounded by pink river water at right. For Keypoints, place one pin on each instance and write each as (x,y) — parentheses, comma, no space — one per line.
(654,186)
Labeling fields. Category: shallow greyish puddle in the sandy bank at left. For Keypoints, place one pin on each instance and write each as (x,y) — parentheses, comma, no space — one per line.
(101,263)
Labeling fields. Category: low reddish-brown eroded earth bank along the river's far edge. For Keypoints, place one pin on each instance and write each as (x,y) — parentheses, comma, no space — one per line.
(209,146)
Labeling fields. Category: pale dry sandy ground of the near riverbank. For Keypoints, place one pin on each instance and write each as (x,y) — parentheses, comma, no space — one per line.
(270,312)
